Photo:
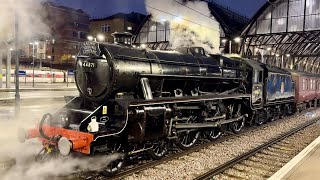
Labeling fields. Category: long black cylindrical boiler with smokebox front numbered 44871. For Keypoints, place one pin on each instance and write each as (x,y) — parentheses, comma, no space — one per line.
(151,74)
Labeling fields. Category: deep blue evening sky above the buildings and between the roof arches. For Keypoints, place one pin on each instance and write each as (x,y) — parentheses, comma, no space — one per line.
(103,8)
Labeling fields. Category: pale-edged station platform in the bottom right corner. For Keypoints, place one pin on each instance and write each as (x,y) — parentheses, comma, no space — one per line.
(304,166)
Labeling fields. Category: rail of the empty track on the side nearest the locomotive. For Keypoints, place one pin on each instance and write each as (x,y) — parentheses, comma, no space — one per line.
(222,168)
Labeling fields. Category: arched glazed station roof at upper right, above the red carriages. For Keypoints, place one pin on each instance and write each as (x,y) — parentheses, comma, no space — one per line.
(285,33)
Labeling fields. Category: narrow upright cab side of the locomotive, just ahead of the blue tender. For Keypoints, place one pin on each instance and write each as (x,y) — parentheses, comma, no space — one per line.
(257,87)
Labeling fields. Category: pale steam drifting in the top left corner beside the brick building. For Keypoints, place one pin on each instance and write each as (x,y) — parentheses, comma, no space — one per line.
(30,17)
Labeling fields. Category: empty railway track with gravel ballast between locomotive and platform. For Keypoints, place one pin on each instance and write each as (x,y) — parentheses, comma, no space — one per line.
(263,161)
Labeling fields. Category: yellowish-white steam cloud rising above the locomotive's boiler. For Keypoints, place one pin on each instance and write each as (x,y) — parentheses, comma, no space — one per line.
(191,24)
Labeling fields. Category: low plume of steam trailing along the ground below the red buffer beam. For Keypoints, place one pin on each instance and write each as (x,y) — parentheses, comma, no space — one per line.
(59,168)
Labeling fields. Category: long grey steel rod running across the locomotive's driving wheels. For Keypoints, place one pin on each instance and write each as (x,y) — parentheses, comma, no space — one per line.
(207,125)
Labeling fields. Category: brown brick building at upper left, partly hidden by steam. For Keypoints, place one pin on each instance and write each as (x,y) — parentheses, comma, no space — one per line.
(68,28)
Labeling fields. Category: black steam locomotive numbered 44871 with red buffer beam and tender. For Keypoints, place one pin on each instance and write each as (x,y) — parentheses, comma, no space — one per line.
(134,100)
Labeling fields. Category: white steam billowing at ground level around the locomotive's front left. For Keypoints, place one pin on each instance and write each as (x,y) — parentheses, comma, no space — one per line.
(24,153)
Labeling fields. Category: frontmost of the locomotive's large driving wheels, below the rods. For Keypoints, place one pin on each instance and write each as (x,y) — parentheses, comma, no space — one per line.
(187,139)
